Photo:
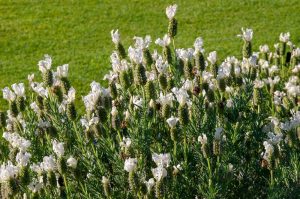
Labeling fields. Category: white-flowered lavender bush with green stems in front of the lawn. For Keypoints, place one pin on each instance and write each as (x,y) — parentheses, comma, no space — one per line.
(173,123)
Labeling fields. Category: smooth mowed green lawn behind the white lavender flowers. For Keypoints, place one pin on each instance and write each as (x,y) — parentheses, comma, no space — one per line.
(78,32)
